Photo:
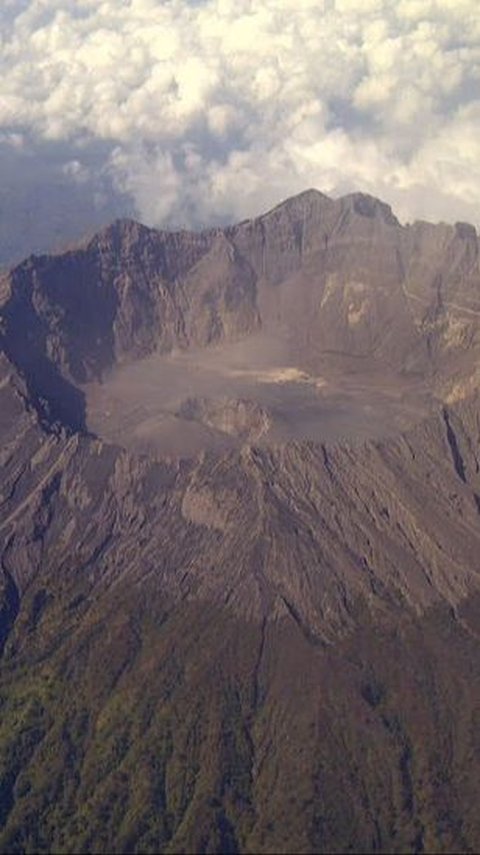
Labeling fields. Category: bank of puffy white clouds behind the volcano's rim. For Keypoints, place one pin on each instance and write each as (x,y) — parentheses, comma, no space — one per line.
(214,110)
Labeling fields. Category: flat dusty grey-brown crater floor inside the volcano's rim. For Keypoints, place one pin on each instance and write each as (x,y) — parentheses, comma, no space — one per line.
(251,391)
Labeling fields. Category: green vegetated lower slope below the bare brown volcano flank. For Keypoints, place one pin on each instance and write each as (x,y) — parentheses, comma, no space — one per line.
(141,731)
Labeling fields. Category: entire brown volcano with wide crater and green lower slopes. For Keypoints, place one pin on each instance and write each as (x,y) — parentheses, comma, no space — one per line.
(240,531)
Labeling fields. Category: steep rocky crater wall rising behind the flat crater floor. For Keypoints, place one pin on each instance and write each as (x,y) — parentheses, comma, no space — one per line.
(337,276)
